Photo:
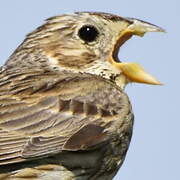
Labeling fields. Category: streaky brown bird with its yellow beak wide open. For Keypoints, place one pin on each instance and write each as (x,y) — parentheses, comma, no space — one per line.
(64,113)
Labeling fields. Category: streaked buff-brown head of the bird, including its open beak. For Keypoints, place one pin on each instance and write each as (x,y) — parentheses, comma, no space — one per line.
(88,42)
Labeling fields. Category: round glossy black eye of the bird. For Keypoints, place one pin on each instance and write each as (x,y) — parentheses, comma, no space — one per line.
(88,33)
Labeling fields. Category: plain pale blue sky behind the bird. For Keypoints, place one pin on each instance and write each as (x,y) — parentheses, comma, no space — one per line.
(154,153)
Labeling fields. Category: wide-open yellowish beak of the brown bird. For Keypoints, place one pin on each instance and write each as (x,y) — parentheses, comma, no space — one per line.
(133,71)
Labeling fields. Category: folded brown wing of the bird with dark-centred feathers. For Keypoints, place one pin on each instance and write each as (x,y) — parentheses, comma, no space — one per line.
(70,114)
